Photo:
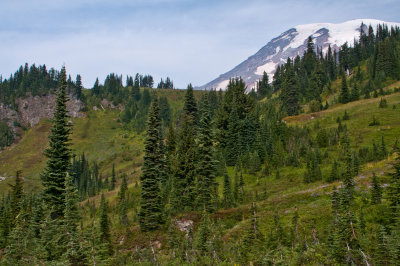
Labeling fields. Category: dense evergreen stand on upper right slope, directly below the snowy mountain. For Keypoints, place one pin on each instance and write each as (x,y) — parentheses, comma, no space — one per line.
(305,79)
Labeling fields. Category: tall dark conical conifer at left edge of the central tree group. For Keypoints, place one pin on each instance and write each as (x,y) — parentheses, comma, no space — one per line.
(150,215)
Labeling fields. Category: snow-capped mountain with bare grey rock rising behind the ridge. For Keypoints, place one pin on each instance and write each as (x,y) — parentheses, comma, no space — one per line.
(292,43)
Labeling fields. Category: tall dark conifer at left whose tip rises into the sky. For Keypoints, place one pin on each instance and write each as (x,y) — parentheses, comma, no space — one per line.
(58,154)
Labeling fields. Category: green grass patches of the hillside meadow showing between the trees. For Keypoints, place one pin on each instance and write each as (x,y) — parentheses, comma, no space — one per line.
(103,138)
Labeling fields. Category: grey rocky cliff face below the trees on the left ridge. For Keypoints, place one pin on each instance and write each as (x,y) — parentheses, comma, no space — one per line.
(33,108)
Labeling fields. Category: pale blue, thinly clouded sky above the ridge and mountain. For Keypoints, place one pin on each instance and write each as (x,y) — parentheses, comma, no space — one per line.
(191,41)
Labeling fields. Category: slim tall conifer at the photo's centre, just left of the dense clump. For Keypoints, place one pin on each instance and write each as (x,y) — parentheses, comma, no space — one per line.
(206,167)
